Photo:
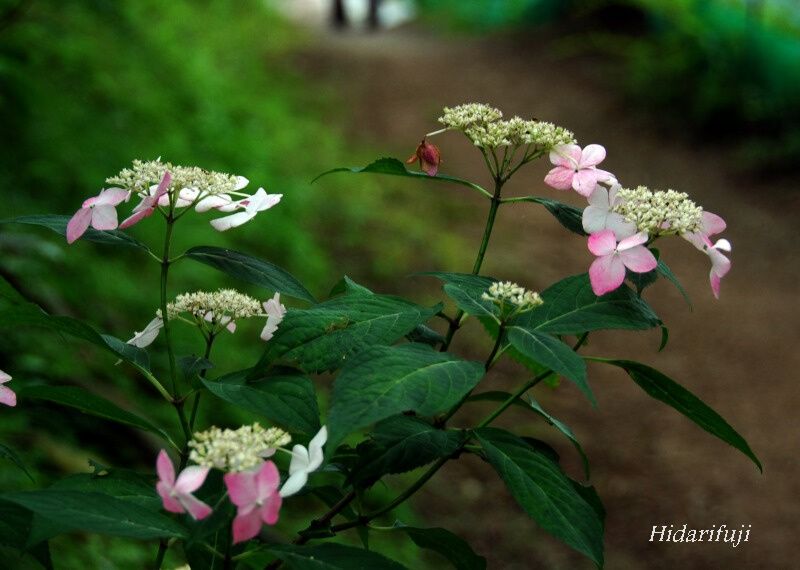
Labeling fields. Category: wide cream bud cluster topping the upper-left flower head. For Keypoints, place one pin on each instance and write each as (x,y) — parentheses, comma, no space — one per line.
(144,174)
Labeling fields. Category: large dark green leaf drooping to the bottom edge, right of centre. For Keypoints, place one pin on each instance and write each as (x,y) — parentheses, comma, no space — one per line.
(546,494)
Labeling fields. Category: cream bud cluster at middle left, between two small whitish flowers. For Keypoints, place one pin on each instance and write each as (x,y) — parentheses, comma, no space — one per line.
(225,305)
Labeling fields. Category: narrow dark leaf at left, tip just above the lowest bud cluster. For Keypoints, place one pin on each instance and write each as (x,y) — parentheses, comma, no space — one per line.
(89,403)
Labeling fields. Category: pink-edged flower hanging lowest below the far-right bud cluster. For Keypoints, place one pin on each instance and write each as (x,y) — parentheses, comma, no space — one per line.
(607,272)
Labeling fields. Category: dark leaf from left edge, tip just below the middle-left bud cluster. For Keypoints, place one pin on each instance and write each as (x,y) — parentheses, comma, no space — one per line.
(29,314)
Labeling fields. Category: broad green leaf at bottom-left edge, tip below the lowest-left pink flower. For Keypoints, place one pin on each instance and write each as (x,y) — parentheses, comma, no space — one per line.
(96,512)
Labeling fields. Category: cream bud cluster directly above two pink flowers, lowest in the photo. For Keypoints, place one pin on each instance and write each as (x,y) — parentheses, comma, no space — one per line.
(236,450)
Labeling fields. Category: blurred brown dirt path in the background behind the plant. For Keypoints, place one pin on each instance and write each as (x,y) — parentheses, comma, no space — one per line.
(650,465)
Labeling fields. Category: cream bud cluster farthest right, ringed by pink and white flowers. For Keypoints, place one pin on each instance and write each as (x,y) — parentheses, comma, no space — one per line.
(658,212)
